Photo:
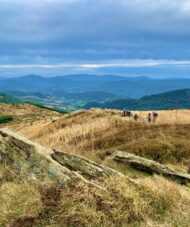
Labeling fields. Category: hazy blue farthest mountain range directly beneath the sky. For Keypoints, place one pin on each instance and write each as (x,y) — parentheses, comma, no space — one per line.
(117,85)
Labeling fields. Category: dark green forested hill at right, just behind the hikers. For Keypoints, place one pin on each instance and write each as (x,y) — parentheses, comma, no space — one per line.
(179,99)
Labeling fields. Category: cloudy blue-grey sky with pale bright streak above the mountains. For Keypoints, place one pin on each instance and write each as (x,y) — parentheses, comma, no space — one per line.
(123,37)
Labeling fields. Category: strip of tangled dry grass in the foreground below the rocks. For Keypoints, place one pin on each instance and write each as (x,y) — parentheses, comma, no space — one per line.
(153,202)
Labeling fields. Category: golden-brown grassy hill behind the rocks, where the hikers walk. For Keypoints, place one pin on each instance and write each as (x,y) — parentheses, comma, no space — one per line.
(87,133)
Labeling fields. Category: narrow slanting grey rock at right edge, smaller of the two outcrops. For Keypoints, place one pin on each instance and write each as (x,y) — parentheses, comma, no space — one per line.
(149,166)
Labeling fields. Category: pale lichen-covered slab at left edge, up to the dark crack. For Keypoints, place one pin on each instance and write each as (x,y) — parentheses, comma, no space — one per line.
(29,158)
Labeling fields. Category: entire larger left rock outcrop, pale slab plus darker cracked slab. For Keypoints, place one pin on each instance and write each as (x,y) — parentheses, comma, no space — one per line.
(33,160)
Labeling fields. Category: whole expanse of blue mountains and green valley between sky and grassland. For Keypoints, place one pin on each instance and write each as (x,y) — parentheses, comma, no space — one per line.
(75,92)
